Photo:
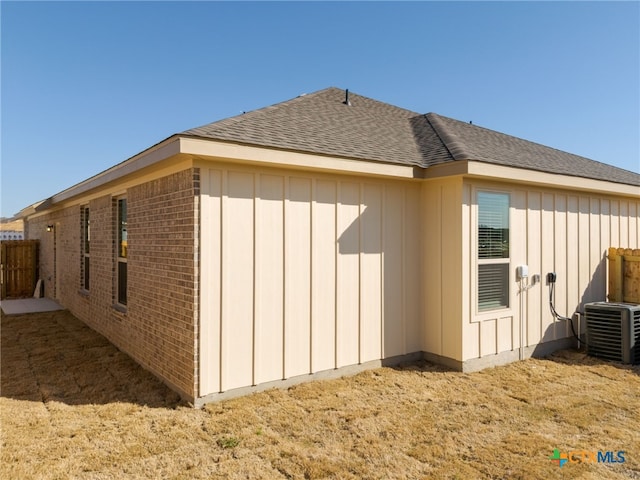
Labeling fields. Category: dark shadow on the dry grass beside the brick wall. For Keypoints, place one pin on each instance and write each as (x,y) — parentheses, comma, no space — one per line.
(54,357)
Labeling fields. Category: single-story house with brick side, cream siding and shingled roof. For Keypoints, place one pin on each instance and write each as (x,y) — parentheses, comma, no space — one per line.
(329,234)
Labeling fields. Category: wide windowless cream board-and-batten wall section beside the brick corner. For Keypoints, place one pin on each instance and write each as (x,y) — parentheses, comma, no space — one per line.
(302,274)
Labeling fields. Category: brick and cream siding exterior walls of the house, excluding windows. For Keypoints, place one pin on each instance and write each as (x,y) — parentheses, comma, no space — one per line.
(243,276)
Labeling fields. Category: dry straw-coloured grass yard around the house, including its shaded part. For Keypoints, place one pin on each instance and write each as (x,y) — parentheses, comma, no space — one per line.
(73,406)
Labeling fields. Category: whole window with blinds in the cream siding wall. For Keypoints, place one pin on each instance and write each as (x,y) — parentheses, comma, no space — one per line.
(493,251)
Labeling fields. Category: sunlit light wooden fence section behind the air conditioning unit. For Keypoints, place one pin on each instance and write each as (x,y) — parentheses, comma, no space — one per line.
(624,275)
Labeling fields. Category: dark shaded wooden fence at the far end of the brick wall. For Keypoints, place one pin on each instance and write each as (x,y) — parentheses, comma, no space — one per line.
(19,267)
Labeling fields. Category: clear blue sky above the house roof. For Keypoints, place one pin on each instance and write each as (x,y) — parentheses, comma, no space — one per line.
(88,85)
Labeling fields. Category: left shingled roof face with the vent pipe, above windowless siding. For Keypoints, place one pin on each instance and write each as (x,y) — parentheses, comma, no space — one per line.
(321,123)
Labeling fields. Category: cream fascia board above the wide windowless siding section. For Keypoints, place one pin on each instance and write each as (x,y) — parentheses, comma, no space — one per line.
(234,152)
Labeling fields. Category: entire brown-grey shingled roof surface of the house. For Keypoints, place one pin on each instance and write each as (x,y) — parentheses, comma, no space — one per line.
(367,129)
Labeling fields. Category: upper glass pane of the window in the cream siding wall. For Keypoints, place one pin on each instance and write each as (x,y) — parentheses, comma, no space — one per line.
(493,225)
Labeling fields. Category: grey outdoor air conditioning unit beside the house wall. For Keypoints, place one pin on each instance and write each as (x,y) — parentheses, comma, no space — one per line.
(613,331)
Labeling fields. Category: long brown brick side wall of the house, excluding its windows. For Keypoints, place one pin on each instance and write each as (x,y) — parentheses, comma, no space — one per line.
(158,328)
